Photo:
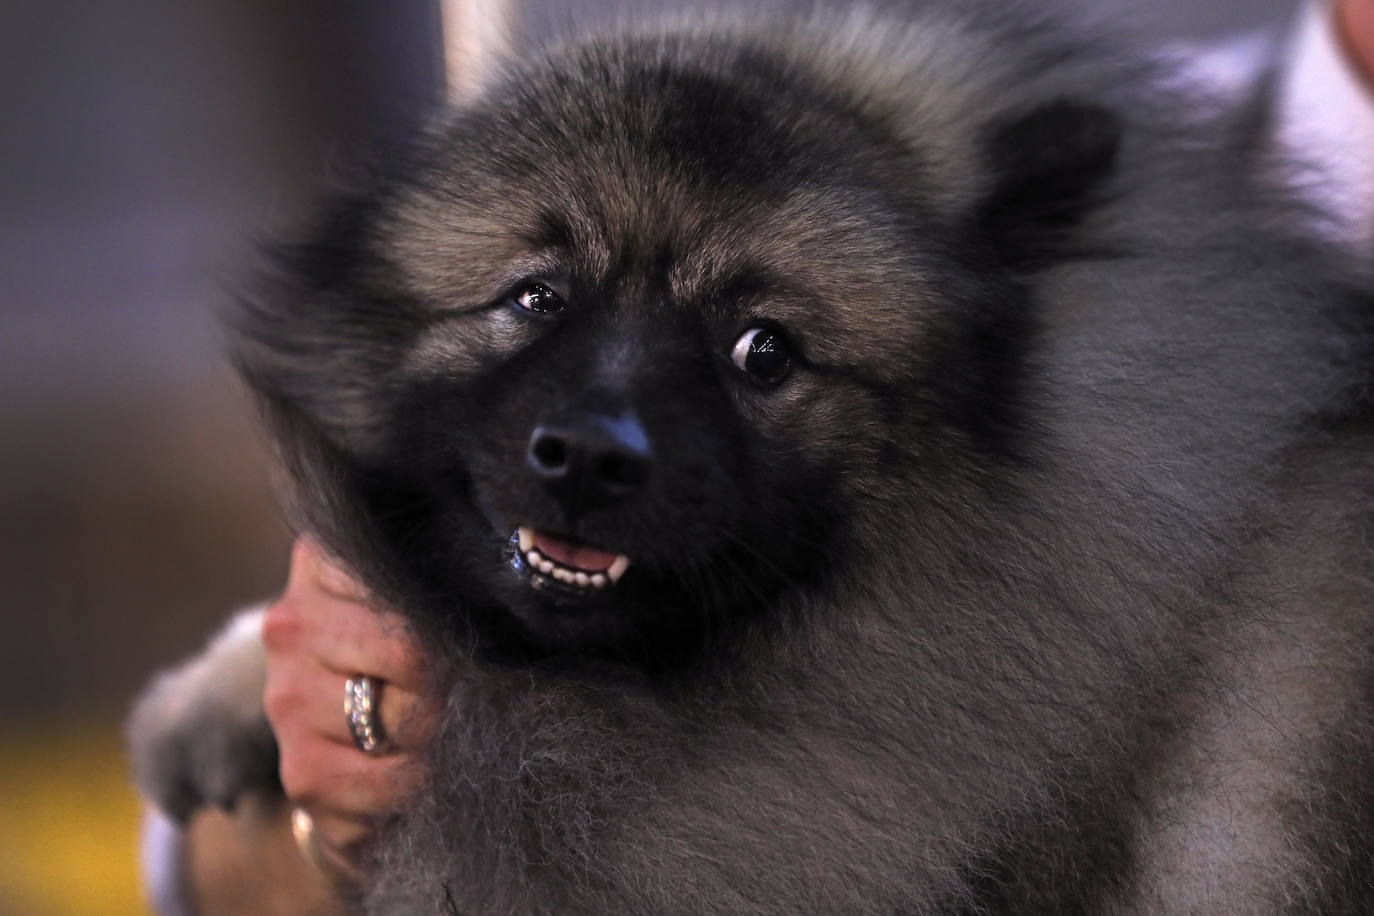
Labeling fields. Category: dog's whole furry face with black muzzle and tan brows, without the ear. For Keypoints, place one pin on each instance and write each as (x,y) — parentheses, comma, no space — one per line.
(613,369)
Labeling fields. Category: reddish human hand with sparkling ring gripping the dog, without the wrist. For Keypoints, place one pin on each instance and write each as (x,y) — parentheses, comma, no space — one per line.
(321,632)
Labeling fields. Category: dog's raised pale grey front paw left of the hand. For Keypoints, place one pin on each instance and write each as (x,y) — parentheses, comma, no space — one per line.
(199,735)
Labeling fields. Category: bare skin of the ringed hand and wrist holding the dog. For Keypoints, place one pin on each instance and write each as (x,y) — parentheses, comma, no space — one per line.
(321,631)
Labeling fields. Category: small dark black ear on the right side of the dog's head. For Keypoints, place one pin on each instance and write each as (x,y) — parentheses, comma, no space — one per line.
(1049,165)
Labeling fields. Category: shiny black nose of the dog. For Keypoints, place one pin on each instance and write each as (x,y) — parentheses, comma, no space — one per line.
(590,459)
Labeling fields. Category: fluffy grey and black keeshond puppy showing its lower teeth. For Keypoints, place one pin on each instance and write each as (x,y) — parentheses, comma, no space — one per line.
(850,466)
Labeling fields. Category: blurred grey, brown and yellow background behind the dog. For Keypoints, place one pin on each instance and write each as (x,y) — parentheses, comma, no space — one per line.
(146,148)
